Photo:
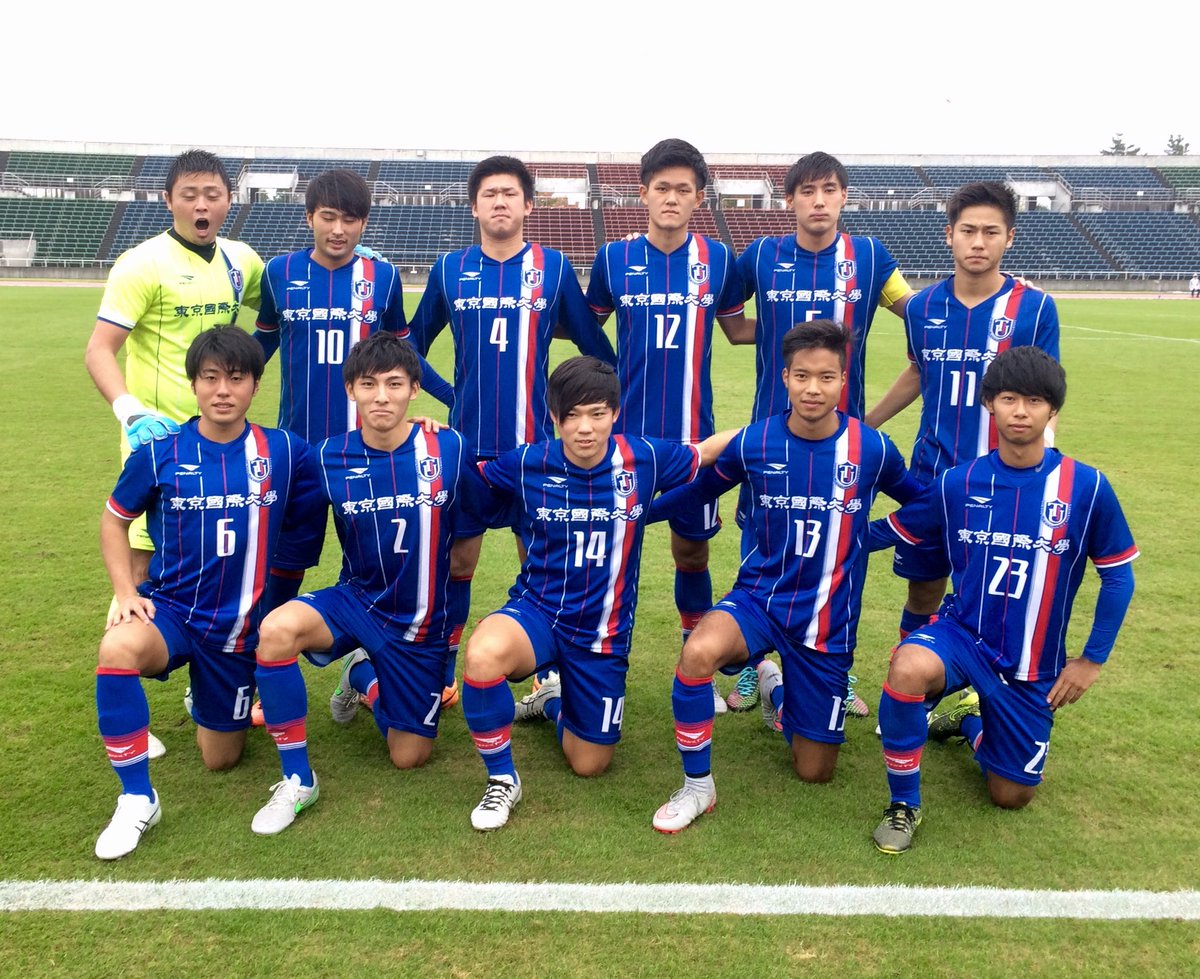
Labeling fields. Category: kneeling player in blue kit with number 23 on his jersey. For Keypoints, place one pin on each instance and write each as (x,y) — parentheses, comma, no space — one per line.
(1017,526)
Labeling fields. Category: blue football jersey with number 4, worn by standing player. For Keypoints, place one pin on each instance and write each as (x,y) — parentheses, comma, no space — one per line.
(503,316)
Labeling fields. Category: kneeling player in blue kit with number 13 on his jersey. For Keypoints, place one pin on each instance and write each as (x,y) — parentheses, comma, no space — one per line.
(811,475)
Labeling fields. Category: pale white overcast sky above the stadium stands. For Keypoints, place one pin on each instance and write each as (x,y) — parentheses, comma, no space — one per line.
(865,77)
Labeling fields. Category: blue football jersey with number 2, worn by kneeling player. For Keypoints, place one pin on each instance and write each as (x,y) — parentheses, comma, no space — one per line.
(395,514)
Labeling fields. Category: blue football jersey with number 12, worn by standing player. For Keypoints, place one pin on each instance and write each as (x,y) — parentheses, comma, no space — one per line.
(667,310)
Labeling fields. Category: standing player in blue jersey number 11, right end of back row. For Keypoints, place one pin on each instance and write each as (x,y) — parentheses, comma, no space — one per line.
(955,331)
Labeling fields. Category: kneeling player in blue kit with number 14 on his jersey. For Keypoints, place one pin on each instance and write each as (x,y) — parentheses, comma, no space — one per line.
(581,503)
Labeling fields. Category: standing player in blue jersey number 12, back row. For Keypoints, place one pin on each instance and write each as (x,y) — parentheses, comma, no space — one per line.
(669,290)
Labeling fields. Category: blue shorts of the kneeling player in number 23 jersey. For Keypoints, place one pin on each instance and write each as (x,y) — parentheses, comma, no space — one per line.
(1017,719)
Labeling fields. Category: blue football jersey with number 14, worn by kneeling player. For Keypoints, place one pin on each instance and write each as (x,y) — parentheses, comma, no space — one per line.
(583,531)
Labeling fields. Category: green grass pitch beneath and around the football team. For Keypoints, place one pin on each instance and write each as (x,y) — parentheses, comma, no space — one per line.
(1118,810)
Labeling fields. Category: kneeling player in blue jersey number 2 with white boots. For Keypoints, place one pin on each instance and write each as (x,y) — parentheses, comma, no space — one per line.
(397,492)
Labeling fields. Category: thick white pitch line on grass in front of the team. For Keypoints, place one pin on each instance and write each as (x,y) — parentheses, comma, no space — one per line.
(646,899)
